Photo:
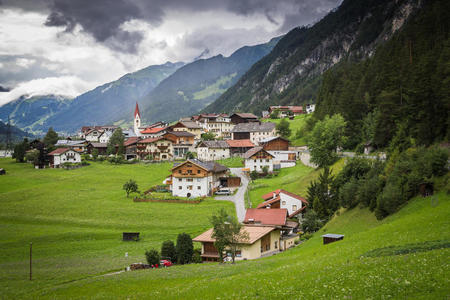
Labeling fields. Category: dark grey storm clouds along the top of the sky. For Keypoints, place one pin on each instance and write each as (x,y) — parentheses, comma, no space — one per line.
(103,18)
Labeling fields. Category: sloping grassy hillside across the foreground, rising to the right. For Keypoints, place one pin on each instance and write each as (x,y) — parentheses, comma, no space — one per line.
(340,270)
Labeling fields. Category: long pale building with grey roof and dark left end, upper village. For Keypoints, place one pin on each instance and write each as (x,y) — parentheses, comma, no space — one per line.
(254,131)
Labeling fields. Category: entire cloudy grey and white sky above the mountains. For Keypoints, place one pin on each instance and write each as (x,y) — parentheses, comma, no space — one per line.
(68,47)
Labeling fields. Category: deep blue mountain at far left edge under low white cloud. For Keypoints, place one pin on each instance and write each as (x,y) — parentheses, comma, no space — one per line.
(31,113)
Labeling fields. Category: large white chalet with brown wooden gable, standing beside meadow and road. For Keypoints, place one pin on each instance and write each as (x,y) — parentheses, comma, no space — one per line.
(194,178)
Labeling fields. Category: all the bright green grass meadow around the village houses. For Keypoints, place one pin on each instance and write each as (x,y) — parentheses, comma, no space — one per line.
(75,220)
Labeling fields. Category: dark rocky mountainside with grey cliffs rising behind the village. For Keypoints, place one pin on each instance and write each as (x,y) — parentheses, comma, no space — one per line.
(292,72)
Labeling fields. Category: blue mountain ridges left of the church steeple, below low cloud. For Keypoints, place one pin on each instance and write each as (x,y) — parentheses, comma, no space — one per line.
(102,105)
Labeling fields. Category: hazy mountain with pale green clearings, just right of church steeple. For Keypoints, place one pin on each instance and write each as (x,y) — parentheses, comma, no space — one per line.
(199,83)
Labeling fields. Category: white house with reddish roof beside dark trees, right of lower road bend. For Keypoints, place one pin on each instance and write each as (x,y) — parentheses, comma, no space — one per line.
(295,204)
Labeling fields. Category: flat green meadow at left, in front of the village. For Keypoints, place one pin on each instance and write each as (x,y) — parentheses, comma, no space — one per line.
(75,220)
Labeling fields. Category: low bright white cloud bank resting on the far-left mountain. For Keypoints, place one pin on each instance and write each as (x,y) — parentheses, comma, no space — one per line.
(69,86)
